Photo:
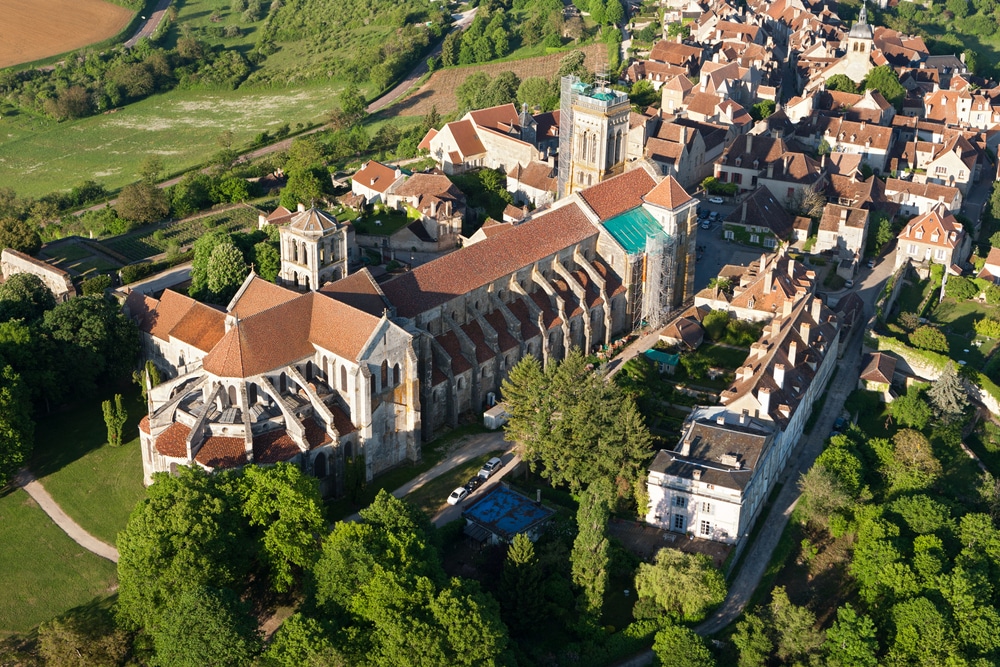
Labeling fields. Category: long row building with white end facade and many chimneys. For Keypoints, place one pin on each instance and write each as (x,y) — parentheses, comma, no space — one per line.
(714,483)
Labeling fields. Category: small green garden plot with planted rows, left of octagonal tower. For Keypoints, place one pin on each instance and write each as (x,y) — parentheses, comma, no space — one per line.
(149,242)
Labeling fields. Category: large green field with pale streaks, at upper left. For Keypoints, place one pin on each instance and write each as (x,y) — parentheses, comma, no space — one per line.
(38,156)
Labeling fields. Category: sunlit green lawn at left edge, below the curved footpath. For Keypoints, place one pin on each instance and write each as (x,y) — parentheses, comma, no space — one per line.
(45,572)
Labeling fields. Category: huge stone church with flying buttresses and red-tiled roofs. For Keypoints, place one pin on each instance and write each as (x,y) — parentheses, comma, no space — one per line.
(357,367)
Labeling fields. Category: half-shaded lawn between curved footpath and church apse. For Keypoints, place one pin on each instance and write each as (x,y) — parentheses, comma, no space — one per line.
(95,484)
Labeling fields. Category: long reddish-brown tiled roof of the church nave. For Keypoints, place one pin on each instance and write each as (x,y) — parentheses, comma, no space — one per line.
(462,271)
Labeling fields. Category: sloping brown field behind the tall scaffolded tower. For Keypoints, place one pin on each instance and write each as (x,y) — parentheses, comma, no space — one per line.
(439,90)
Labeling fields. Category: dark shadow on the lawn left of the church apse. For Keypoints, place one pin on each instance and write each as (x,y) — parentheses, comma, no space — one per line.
(66,435)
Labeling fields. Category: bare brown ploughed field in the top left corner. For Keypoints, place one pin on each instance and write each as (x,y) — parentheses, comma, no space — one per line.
(33,29)
